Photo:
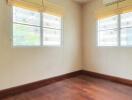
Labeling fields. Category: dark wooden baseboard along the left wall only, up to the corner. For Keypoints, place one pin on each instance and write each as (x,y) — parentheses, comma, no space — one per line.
(35,85)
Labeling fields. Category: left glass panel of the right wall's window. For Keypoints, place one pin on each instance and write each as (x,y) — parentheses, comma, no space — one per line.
(107,31)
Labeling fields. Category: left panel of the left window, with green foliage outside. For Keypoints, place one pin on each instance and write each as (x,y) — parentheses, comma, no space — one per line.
(26,27)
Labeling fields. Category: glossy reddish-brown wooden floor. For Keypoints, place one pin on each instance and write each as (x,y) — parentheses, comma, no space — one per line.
(78,88)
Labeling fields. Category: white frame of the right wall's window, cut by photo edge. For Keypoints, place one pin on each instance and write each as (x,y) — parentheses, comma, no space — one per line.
(118,38)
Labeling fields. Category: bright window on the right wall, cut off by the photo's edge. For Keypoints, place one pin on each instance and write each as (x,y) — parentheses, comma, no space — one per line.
(115,30)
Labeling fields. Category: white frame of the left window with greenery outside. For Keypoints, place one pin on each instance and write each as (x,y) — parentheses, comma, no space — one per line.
(41,33)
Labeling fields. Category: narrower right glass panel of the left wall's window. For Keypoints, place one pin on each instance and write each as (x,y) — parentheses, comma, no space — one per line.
(52,30)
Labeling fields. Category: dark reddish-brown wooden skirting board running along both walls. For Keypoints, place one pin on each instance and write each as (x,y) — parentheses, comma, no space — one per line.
(41,83)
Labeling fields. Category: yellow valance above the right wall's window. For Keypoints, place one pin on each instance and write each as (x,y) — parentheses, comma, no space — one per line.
(114,9)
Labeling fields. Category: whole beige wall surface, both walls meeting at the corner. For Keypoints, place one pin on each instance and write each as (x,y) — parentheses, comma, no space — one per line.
(23,65)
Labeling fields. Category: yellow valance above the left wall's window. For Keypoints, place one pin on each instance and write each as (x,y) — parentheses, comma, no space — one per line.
(38,5)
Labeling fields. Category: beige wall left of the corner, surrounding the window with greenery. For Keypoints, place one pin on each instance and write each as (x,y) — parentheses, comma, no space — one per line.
(24,65)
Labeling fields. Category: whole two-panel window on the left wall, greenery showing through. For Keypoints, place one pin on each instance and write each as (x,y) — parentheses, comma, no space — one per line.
(32,28)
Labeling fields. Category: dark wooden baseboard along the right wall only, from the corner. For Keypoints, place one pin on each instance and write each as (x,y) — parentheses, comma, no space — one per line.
(108,77)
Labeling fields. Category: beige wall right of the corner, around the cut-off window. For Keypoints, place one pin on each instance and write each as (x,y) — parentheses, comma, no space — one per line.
(115,61)
